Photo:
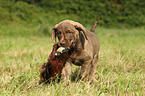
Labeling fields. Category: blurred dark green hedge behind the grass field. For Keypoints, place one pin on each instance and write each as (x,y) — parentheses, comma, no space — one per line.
(111,13)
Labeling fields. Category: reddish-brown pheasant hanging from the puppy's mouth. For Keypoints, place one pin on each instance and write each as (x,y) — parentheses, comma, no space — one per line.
(56,61)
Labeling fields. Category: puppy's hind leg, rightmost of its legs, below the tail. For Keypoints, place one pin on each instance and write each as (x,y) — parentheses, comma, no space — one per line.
(93,69)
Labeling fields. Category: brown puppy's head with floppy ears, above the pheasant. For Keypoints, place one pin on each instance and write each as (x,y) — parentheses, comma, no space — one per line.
(68,33)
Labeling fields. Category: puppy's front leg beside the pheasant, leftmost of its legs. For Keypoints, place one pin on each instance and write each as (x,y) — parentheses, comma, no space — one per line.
(66,71)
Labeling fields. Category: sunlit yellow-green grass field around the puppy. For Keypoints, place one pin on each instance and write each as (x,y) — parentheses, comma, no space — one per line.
(120,70)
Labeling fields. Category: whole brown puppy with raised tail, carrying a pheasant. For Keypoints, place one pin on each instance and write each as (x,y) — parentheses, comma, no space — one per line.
(85,45)
